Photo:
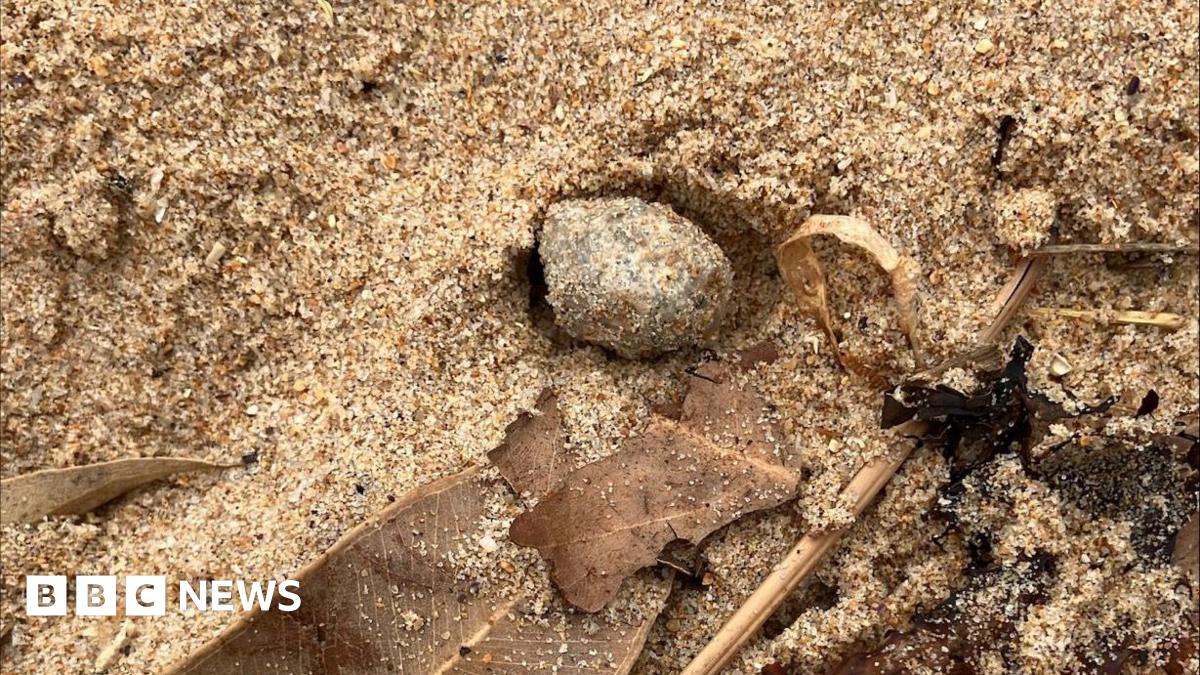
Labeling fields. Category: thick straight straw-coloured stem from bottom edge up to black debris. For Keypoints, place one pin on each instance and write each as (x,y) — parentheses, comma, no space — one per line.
(800,563)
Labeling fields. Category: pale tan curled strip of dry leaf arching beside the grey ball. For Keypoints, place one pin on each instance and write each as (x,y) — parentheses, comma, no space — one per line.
(803,272)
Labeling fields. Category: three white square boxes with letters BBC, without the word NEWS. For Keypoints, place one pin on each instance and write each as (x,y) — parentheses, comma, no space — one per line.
(95,595)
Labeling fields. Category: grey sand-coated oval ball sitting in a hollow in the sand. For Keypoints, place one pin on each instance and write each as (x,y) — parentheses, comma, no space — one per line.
(633,277)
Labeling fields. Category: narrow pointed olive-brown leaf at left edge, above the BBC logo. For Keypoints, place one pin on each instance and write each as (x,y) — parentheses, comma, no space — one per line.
(80,489)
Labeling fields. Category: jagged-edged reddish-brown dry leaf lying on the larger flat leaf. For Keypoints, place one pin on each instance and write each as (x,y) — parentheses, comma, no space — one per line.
(677,481)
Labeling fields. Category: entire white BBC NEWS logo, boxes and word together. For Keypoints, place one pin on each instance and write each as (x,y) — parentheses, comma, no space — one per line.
(147,595)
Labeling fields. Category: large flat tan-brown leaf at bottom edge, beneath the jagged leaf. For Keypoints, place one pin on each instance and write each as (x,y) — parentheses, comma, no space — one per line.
(389,598)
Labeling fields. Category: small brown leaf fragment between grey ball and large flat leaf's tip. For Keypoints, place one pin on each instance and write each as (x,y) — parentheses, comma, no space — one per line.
(533,457)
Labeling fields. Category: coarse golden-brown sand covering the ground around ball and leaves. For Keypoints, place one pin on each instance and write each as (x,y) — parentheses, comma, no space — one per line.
(293,230)
